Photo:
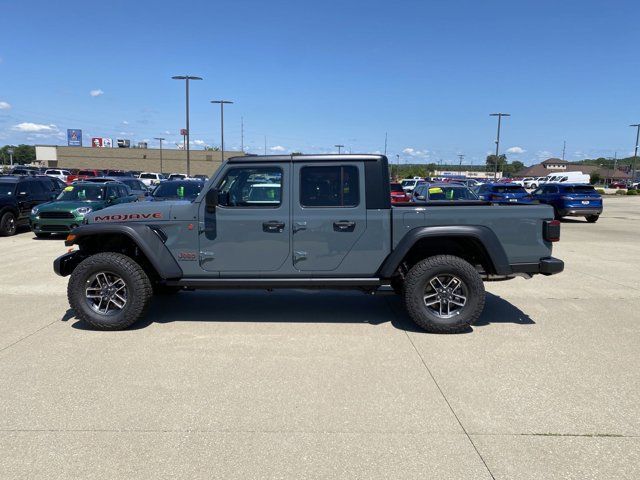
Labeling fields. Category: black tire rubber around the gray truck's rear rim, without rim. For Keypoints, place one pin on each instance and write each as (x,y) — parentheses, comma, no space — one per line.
(415,283)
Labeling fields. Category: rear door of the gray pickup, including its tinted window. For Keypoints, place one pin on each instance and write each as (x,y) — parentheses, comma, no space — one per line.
(328,213)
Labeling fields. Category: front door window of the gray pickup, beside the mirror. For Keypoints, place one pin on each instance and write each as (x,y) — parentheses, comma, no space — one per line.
(251,187)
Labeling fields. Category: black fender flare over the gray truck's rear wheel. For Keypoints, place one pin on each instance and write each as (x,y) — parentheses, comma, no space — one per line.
(484,235)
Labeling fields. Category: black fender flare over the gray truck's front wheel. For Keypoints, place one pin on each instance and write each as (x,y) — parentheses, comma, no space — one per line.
(146,239)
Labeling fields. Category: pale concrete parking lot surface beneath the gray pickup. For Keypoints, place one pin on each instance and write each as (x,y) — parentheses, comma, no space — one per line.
(330,385)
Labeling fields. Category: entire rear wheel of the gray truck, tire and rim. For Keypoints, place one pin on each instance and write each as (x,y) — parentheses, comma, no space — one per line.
(444,294)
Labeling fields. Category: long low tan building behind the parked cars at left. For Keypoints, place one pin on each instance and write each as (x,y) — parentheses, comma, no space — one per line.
(203,162)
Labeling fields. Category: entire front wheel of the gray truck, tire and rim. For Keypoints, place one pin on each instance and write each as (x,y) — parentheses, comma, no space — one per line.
(109,291)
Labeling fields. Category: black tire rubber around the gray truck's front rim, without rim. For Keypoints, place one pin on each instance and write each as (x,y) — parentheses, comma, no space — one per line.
(137,282)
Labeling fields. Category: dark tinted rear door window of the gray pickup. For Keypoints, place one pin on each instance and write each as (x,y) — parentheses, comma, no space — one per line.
(329,186)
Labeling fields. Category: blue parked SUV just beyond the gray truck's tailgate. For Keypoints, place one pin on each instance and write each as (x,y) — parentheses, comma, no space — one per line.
(571,200)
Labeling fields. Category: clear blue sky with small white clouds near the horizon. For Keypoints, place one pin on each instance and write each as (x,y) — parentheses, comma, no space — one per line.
(307,75)
